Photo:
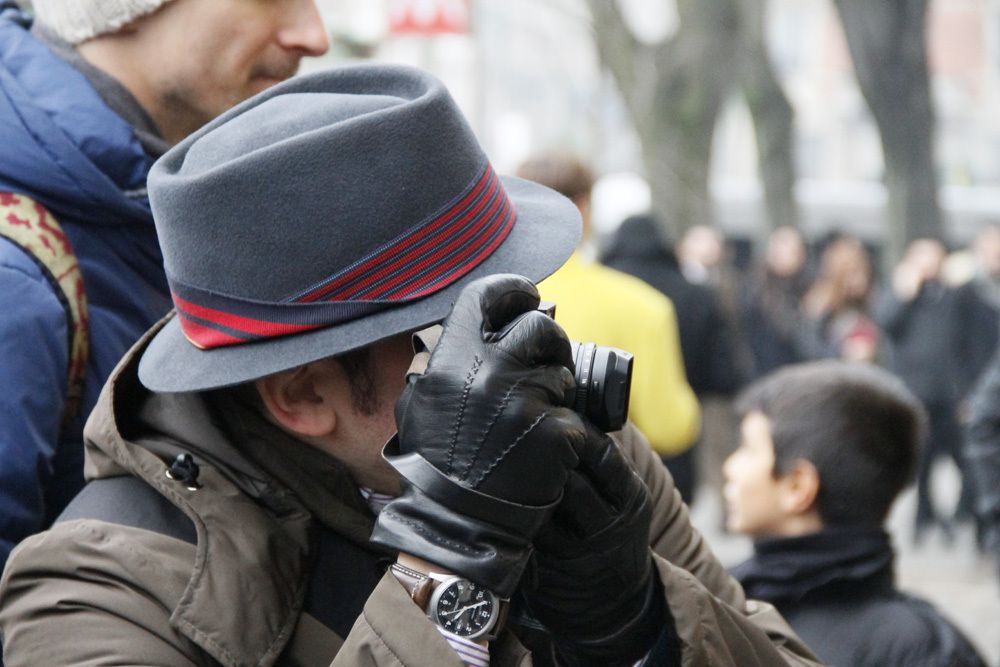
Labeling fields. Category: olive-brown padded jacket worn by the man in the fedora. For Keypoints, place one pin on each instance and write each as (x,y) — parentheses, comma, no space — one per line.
(240,589)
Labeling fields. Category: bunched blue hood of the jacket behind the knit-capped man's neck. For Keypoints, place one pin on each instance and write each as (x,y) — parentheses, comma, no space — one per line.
(82,160)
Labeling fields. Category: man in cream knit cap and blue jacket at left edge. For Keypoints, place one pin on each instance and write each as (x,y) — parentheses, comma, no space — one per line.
(92,93)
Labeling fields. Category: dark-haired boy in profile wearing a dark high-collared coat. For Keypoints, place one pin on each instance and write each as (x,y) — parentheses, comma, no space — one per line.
(825,449)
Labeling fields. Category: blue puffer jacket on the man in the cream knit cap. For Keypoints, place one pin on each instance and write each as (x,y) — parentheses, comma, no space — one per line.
(61,145)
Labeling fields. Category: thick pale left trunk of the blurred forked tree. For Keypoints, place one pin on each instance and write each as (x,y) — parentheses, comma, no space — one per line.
(674,92)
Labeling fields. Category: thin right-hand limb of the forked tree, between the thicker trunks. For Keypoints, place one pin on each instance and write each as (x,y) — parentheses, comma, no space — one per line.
(772,119)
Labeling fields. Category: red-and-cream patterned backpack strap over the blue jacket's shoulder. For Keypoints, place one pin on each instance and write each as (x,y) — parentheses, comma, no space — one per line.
(29,226)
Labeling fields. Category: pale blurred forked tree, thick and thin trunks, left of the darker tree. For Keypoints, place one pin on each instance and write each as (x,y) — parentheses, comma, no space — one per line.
(675,92)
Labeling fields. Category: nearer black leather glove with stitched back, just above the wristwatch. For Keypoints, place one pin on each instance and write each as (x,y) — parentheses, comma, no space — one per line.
(484,441)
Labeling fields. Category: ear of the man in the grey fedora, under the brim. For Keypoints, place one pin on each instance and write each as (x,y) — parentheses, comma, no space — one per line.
(302,399)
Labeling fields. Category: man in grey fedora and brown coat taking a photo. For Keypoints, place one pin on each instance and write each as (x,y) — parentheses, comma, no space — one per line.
(237,451)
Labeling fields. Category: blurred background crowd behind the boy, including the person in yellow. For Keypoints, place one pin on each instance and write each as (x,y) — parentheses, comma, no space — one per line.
(931,319)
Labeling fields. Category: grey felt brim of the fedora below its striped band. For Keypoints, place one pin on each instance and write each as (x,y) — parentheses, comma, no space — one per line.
(545,235)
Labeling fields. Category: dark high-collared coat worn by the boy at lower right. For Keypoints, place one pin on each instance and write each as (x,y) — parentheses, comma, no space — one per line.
(836,590)
